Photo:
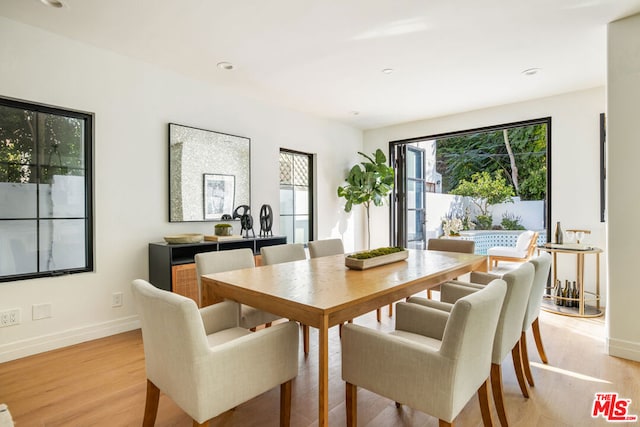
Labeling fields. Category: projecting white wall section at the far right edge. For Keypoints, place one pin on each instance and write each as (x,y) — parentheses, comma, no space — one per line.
(623,141)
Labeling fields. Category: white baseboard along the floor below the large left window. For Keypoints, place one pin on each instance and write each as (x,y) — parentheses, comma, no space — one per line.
(29,347)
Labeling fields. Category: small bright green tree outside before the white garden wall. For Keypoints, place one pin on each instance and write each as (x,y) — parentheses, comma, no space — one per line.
(484,191)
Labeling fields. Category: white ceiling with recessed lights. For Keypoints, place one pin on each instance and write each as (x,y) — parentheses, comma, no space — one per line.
(326,57)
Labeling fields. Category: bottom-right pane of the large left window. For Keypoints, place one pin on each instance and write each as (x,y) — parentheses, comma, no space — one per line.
(62,244)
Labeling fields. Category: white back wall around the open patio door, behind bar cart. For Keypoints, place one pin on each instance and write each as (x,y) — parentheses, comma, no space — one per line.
(575,160)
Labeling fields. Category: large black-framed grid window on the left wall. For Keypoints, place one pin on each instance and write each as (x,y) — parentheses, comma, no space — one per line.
(46,208)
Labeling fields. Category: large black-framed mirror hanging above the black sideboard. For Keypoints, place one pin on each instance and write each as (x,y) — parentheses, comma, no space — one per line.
(209,173)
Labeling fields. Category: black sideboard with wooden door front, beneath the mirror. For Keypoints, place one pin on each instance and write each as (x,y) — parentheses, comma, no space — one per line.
(172,266)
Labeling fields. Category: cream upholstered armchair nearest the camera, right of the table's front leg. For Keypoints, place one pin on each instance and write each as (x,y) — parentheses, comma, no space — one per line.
(434,361)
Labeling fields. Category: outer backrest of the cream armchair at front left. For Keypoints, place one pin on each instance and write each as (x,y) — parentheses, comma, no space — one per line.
(173,334)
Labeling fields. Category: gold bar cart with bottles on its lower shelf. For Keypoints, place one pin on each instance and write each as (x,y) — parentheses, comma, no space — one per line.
(583,309)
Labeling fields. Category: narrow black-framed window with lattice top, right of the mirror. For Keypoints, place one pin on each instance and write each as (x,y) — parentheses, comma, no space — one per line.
(296,196)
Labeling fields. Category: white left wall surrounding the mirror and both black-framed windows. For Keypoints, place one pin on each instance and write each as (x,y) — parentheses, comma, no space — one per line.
(133,102)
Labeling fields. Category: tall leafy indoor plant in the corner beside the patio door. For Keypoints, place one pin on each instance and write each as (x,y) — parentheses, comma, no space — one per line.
(369,181)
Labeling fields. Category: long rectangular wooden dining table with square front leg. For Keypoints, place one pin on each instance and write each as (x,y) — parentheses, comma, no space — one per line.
(322,292)
